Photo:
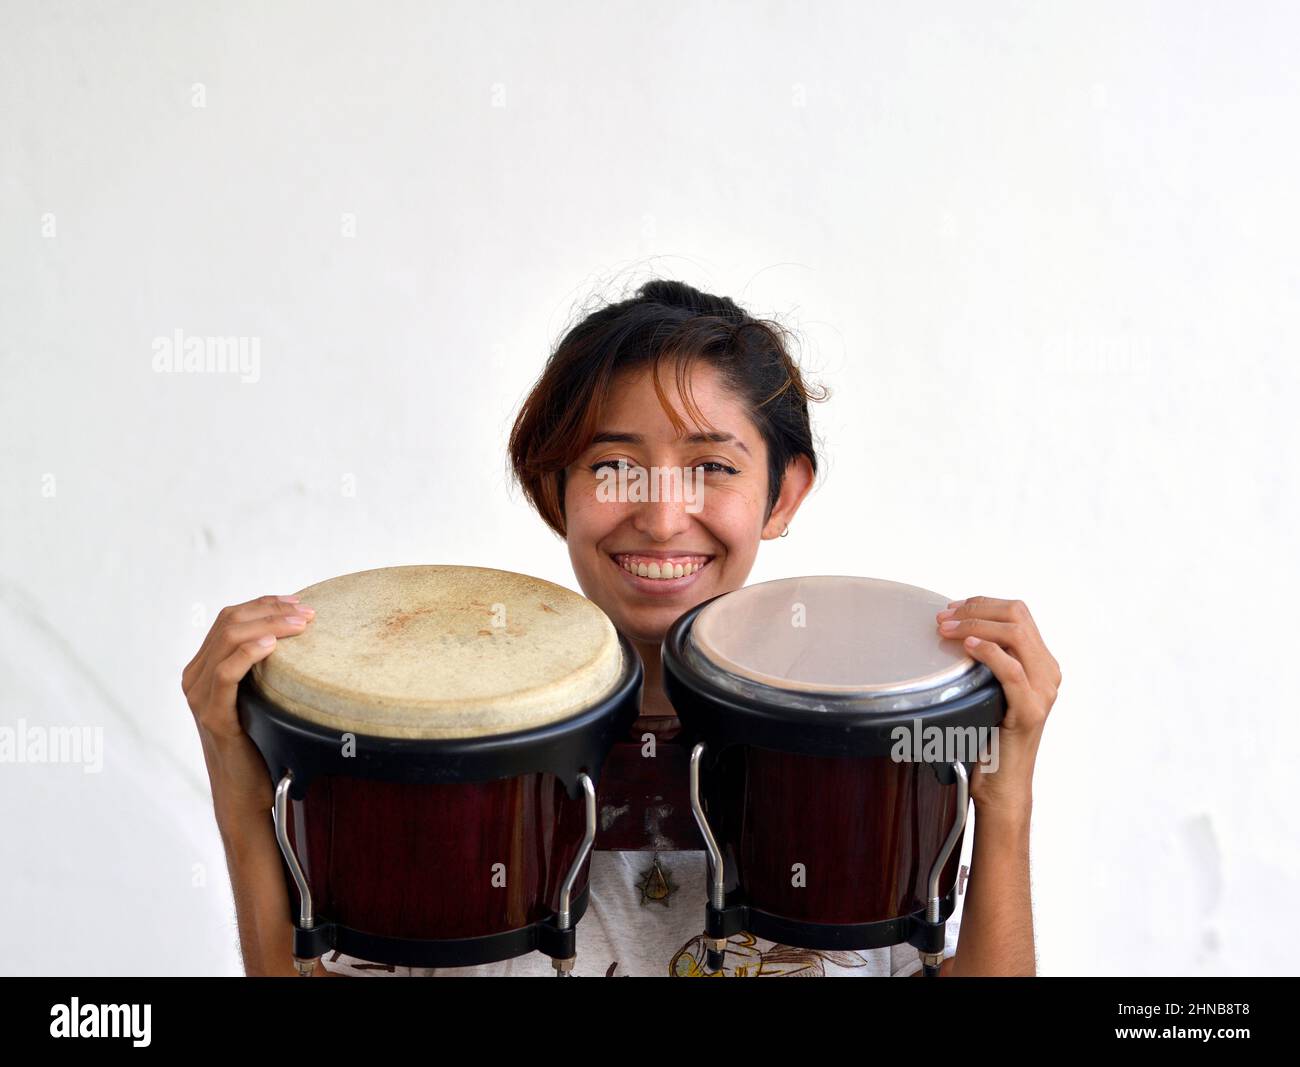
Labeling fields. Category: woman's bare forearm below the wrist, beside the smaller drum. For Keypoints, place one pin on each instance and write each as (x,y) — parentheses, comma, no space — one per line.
(998,919)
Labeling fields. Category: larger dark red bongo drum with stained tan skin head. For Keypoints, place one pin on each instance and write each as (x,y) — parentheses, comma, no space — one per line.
(436,736)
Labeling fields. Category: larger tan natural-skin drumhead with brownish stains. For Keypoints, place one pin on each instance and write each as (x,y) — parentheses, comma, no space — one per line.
(443,653)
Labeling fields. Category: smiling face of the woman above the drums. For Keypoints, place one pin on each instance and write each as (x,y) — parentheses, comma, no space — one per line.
(648,561)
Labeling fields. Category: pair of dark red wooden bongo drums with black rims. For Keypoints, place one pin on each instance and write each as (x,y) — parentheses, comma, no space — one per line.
(437,738)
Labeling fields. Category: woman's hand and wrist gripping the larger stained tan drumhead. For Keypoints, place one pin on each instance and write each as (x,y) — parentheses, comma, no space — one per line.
(241,636)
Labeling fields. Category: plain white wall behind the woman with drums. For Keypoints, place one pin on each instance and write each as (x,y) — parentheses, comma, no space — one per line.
(1045,257)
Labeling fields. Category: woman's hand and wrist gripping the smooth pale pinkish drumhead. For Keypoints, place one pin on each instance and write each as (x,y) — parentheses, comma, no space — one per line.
(1003,636)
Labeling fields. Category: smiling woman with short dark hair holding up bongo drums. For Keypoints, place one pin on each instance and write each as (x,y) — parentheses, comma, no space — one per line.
(682,381)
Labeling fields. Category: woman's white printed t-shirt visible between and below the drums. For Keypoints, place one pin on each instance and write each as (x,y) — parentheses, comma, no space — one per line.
(645,923)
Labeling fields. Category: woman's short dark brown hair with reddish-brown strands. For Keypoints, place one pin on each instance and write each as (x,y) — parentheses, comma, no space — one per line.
(665,322)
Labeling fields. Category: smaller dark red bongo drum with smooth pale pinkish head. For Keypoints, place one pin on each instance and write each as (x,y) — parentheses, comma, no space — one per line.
(822,714)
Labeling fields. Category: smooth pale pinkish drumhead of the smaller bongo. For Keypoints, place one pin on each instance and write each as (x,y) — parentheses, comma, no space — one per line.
(831,635)
